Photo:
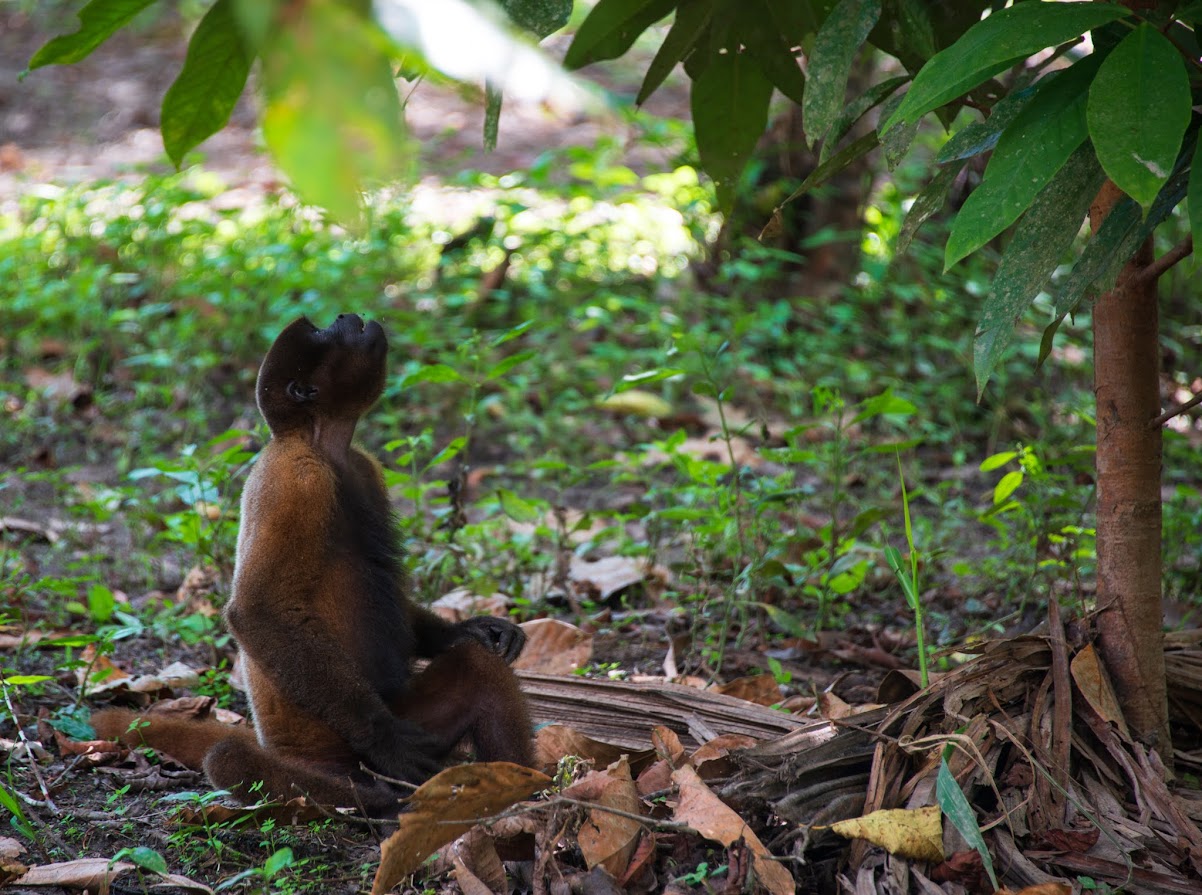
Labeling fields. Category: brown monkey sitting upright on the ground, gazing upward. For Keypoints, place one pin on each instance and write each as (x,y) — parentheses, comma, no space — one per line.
(319,608)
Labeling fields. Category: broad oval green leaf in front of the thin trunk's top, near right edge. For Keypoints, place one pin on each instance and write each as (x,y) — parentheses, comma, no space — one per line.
(1139,111)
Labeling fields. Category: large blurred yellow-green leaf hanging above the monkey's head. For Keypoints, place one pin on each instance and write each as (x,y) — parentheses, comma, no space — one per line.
(332,117)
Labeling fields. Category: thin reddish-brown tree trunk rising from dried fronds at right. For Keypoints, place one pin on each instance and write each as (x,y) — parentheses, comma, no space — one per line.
(1127,366)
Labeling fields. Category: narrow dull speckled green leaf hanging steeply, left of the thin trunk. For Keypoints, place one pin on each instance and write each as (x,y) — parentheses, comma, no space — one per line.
(1045,235)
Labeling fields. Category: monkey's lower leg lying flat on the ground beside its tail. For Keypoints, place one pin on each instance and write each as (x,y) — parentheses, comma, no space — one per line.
(252,773)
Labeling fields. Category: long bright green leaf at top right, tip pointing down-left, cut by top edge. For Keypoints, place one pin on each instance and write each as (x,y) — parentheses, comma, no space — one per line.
(992,46)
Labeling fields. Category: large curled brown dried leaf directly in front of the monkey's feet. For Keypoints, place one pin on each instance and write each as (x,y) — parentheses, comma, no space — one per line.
(445,808)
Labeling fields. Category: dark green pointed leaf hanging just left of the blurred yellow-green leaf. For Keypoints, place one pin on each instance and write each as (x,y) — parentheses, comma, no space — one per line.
(199,103)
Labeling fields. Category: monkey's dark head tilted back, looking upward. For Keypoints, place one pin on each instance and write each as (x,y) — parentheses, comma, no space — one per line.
(330,374)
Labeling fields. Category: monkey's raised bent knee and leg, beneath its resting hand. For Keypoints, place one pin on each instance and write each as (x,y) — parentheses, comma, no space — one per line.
(471,693)
